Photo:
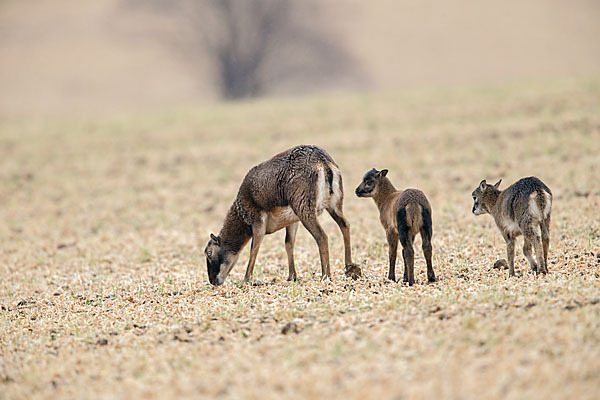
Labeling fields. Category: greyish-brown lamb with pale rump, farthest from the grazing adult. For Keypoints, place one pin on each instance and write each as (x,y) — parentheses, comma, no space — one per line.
(522,208)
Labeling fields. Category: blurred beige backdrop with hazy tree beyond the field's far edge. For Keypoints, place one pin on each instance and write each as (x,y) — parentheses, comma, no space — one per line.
(95,56)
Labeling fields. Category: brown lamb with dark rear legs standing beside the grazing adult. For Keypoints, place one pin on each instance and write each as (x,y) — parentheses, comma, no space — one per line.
(403,214)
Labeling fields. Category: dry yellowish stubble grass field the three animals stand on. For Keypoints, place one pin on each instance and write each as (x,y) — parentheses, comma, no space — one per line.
(104,291)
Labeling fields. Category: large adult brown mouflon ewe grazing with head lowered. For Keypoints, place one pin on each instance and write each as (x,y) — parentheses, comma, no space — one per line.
(292,187)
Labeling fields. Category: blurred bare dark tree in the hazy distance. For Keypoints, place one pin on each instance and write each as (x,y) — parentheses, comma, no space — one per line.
(256,46)
